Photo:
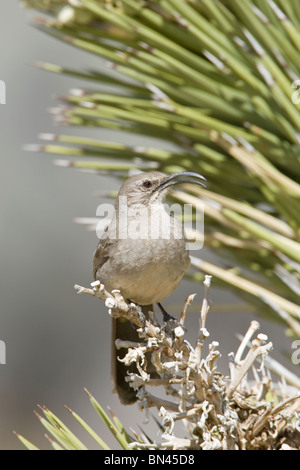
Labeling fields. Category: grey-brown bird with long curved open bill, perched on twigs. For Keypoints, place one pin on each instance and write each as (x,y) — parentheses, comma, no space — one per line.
(143,253)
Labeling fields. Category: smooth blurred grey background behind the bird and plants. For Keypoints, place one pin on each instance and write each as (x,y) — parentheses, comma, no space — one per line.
(57,342)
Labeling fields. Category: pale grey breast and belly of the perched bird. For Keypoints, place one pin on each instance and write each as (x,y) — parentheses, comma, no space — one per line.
(150,258)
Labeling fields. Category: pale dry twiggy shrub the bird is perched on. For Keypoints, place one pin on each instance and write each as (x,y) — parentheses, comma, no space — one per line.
(218,412)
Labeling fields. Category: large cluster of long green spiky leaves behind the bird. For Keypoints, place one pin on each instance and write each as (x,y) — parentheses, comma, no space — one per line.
(217,83)
